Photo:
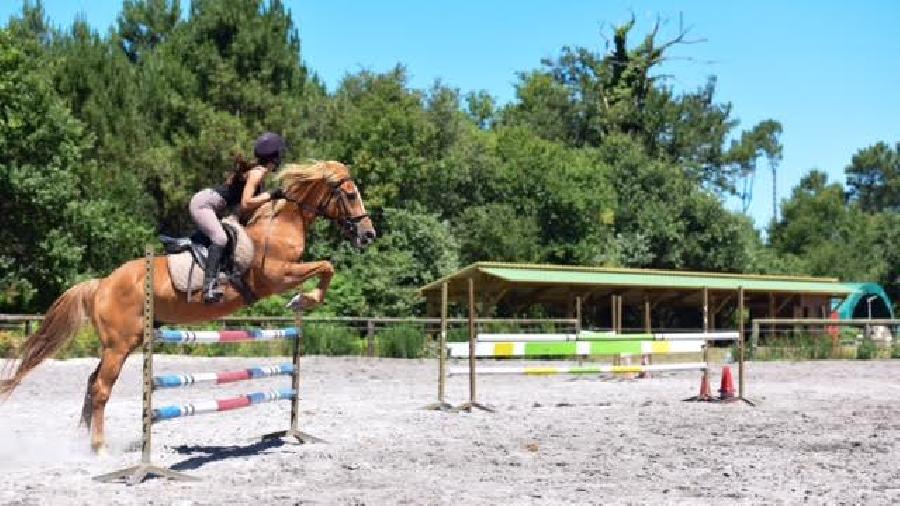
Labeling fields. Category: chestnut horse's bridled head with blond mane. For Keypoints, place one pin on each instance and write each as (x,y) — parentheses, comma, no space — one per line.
(327,189)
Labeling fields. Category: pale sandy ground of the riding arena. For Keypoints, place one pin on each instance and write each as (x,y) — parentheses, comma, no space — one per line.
(823,432)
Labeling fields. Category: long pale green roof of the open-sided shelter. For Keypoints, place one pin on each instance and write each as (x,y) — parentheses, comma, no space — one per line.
(650,278)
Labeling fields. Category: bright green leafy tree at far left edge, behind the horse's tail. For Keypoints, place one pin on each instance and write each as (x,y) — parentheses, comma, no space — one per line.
(54,226)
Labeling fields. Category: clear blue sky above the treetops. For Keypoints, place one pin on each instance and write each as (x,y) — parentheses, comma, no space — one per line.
(827,71)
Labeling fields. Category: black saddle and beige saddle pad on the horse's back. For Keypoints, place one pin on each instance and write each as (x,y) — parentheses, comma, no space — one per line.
(187,260)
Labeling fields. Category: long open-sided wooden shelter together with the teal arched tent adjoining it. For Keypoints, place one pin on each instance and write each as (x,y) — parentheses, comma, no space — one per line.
(648,299)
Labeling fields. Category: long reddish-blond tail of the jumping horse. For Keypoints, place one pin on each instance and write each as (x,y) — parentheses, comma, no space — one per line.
(61,322)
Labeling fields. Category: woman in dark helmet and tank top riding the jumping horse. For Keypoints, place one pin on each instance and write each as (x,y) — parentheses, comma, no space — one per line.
(242,189)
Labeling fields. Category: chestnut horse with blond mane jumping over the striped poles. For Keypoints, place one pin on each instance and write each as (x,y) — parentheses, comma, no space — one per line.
(115,303)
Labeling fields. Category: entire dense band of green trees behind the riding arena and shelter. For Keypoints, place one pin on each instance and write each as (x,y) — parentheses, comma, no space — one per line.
(598,161)
